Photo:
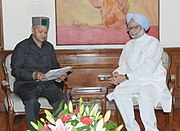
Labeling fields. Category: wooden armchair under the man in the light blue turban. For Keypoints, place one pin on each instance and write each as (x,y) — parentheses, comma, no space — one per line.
(170,79)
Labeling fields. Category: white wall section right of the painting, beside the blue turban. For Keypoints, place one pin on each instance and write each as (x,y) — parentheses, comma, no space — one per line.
(170,23)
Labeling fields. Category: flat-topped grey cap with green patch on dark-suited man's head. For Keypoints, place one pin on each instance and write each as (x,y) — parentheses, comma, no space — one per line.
(40,21)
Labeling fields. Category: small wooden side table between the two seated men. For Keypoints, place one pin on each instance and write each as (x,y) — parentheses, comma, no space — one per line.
(88,93)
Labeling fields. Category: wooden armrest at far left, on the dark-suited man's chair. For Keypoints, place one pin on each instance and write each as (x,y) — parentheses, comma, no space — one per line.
(7,90)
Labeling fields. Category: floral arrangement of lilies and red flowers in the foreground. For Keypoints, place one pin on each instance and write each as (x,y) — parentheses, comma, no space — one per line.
(85,117)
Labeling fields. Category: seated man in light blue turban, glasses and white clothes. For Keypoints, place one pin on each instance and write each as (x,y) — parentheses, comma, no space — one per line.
(140,74)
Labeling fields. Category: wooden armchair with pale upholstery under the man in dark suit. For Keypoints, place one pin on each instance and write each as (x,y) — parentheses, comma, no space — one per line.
(13,104)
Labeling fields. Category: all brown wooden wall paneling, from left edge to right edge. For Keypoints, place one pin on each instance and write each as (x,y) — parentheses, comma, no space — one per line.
(89,64)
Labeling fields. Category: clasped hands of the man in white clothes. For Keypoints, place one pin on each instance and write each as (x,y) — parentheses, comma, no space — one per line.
(118,78)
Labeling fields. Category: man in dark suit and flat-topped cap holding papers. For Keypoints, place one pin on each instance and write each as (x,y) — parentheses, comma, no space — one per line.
(31,59)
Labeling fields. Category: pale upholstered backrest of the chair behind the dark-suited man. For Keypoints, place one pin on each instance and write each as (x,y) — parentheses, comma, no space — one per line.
(7,70)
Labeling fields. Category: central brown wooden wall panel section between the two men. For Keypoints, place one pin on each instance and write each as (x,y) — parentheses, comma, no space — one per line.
(88,65)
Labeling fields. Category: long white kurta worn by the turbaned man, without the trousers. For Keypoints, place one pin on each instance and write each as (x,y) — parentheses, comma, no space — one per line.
(141,61)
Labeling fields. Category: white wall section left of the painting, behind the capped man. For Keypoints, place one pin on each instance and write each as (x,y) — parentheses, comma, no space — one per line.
(17,19)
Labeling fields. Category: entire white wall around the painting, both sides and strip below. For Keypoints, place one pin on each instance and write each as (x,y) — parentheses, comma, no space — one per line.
(17,22)
